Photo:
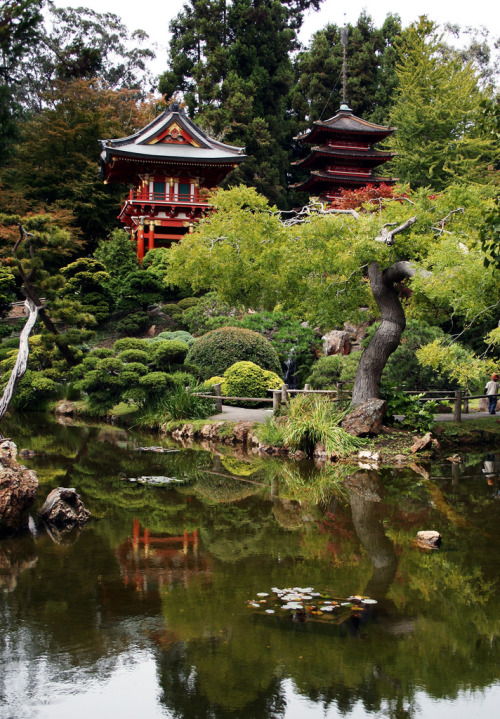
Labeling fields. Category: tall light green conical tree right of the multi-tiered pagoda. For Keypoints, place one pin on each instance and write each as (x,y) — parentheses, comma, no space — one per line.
(437,112)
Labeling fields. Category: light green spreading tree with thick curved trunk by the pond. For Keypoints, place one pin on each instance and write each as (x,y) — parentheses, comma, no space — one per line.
(319,270)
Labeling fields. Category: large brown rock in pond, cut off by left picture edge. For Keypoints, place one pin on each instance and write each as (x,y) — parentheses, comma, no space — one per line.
(18,487)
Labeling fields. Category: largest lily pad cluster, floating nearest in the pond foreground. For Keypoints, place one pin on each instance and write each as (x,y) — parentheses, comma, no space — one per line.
(307,603)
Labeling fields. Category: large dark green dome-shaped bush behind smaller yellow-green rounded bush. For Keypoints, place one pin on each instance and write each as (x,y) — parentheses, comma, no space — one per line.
(217,350)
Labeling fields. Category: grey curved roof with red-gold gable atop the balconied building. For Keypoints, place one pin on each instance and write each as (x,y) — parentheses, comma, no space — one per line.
(171,142)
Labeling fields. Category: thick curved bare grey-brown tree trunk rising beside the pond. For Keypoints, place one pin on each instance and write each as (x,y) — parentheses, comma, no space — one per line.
(387,337)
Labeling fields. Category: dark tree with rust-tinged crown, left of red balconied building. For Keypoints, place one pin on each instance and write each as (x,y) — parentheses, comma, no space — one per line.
(62,143)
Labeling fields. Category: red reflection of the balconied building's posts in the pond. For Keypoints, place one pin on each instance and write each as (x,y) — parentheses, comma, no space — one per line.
(150,562)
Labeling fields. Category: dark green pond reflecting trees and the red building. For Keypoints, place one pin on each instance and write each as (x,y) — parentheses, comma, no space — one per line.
(145,611)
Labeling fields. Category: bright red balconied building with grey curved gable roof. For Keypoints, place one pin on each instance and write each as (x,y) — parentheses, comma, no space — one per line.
(171,166)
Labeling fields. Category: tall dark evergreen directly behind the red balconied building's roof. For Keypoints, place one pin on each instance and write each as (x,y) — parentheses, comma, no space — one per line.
(231,60)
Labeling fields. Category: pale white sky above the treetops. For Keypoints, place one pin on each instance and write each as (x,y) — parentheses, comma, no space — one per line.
(154,16)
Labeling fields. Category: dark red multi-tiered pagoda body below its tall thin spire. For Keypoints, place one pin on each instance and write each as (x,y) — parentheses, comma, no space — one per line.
(341,155)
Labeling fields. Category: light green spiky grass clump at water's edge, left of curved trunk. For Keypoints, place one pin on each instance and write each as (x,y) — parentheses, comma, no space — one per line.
(311,419)
